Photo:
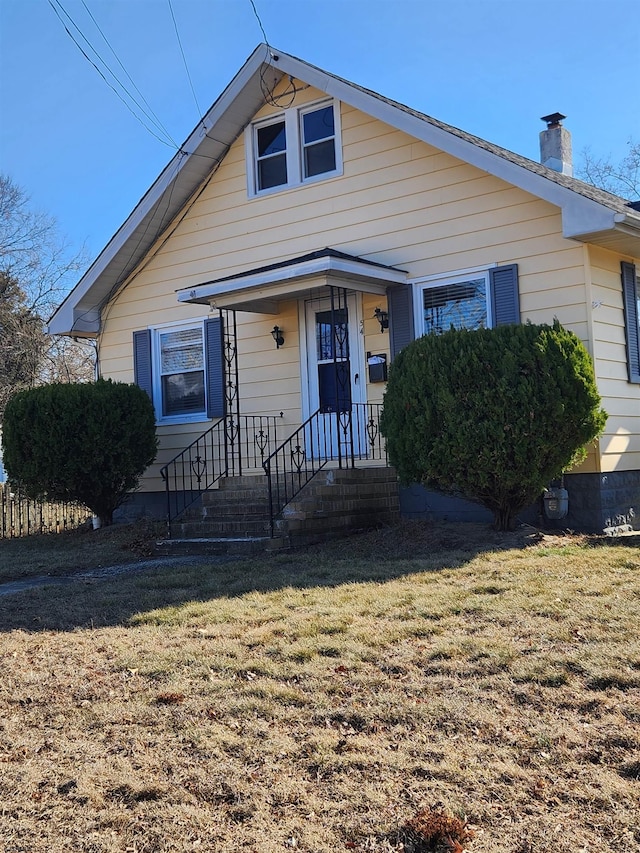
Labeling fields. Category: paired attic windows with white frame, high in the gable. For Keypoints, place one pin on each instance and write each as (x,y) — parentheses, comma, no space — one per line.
(296,147)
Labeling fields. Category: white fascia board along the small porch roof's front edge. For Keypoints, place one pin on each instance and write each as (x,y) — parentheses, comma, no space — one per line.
(204,293)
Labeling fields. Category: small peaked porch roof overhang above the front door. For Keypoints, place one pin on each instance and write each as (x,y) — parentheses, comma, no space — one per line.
(261,290)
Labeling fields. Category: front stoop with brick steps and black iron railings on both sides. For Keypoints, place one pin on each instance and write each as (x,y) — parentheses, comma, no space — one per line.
(240,488)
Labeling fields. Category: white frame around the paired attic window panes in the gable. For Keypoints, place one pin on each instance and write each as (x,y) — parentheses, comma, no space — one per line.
(294,150)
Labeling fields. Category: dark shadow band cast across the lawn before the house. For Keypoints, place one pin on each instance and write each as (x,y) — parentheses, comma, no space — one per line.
(376,556)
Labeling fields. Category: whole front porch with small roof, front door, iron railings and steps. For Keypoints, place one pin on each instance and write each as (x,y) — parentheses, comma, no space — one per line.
(276,476)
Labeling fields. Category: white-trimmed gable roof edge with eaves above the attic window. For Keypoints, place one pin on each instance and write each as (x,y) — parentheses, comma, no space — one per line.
(588,214)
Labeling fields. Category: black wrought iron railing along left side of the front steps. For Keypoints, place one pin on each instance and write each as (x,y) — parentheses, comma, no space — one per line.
(233,444)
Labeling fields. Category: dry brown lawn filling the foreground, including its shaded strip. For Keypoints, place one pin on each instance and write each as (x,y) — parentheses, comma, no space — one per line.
(352,697)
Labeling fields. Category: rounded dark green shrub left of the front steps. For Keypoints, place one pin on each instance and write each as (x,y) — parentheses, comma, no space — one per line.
(85,442)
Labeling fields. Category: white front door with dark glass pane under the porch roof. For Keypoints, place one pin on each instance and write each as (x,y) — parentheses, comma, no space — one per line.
(335,380)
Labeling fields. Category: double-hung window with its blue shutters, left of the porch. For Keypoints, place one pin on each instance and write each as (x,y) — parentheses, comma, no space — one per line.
(181,369)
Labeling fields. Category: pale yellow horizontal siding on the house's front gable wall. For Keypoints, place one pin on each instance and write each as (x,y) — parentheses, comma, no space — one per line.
(399,202)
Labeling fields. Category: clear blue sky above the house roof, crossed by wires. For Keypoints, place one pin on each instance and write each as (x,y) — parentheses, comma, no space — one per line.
(491,67)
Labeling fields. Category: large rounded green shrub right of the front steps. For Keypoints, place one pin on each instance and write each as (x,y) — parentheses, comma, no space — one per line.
(492,415)
